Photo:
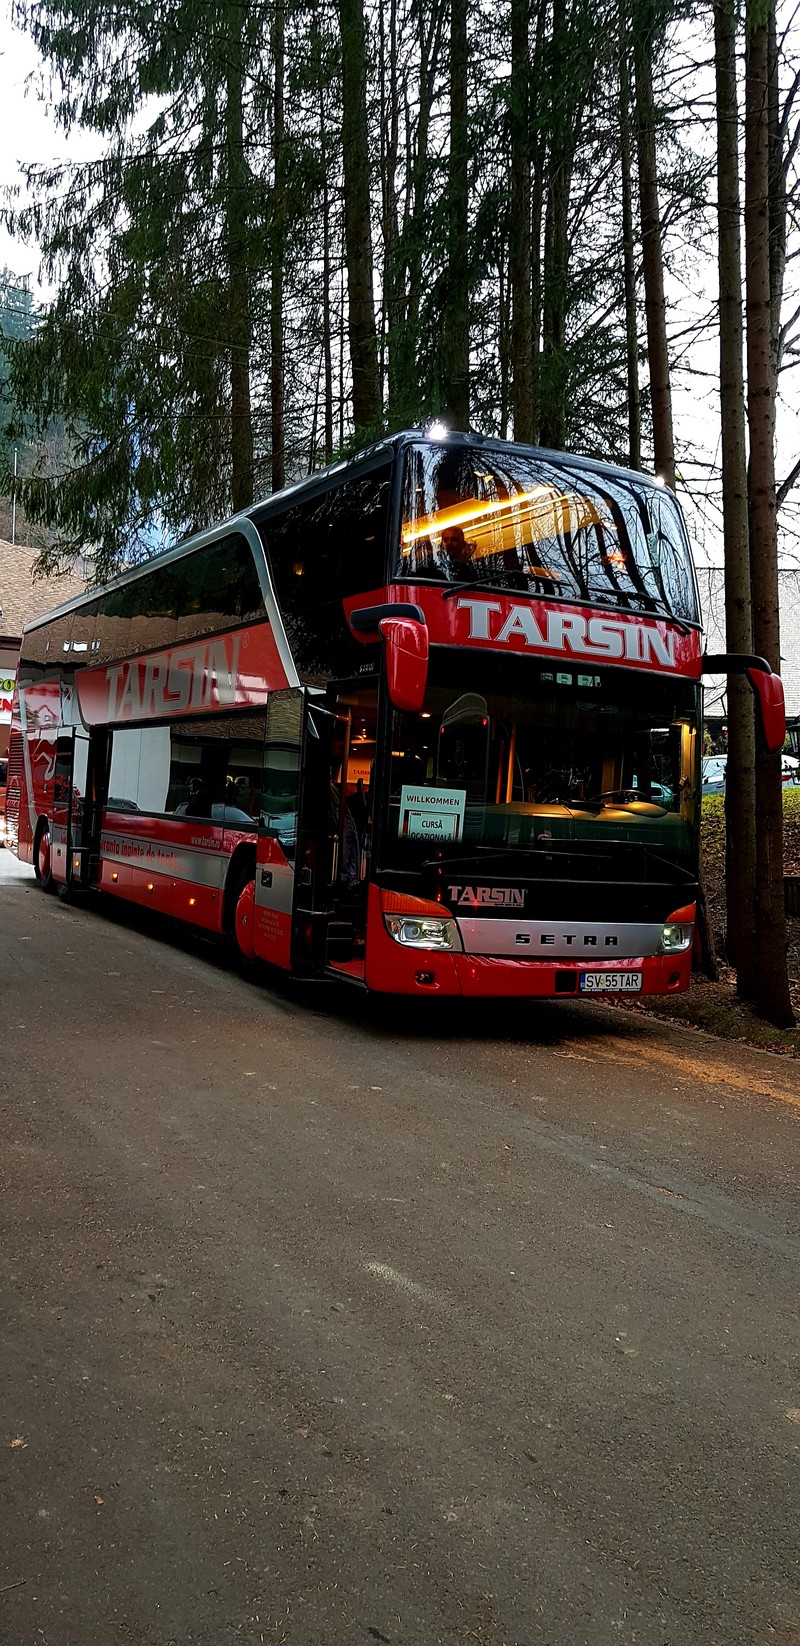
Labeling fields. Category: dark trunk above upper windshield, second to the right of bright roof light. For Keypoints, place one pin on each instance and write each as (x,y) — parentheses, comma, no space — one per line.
(519,248)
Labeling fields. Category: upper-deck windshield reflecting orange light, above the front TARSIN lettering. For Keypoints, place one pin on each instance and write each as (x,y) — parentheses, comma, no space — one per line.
(542,528)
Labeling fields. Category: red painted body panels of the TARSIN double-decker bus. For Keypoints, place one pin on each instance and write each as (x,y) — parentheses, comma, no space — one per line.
(187,868)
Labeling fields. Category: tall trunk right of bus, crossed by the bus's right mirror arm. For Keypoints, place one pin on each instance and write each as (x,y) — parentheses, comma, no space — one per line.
(740,794)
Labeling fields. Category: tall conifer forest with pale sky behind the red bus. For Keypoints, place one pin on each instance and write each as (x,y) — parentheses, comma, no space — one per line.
(305,225)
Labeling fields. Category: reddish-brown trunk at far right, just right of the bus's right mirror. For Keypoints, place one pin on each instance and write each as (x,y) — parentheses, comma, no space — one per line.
(773,1000)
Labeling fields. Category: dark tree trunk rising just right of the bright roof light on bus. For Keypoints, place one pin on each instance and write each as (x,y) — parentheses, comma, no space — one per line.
(457,305)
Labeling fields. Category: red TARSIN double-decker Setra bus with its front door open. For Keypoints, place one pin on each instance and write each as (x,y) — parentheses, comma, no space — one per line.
(429,722)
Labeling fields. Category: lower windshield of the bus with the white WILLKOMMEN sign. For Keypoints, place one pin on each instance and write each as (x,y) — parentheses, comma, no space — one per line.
(533,760)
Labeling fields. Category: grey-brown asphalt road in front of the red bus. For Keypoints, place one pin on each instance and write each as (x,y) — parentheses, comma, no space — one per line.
(332,1324)
